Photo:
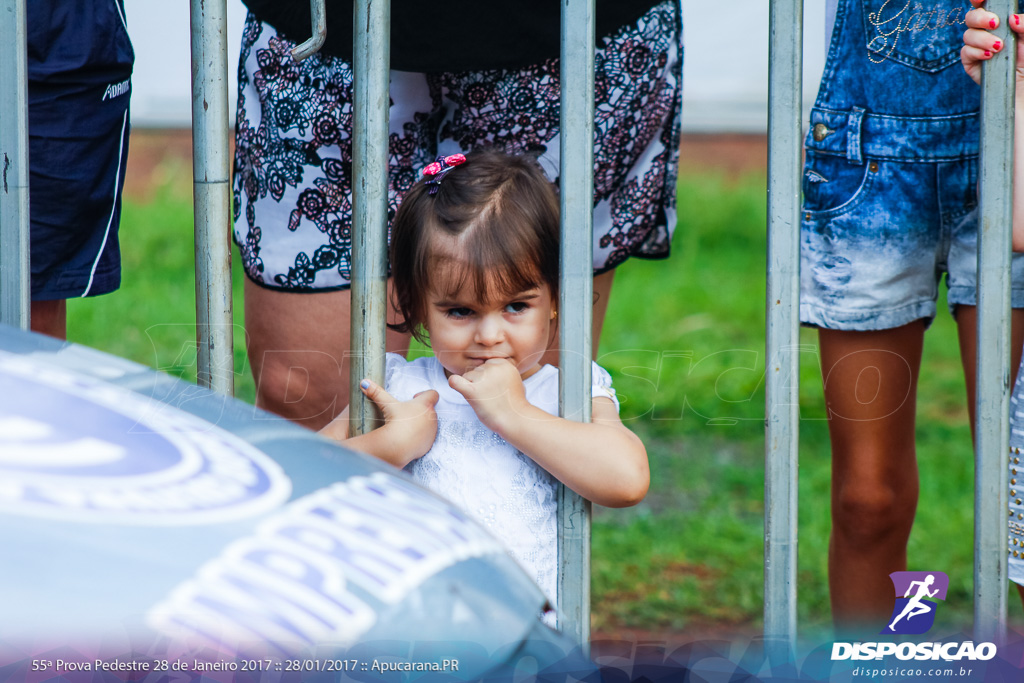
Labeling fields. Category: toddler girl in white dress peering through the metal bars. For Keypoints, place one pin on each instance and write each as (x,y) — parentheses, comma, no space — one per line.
(475,258)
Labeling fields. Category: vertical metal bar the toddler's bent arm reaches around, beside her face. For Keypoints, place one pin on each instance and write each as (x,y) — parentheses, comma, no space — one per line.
(577,291)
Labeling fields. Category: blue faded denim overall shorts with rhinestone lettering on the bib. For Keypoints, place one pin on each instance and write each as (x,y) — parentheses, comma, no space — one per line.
(891,174)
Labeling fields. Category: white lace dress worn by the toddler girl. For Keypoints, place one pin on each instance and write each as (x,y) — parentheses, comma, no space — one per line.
(479,472)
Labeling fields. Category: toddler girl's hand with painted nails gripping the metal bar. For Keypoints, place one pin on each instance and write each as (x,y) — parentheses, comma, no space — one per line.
(410,426)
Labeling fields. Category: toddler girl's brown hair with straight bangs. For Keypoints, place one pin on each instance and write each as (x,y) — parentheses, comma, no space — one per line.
(500,210)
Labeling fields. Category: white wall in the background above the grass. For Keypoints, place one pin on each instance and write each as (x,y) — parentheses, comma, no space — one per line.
(726,69)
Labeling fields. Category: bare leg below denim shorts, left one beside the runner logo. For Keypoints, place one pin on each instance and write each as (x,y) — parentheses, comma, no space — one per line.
(871,385)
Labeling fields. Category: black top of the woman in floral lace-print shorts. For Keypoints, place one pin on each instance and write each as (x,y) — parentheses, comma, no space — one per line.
(452,35)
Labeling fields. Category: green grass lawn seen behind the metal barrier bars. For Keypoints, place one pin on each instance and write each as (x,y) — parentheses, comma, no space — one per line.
(689,366)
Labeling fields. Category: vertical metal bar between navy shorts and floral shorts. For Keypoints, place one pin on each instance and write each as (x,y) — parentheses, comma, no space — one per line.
(211,195)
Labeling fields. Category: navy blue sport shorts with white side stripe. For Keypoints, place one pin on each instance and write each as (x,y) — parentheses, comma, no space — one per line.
(80,62)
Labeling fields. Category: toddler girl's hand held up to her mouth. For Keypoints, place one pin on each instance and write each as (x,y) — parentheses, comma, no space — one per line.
(495,391)
